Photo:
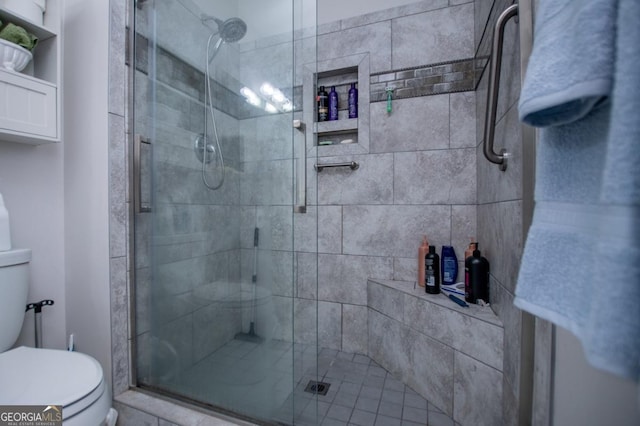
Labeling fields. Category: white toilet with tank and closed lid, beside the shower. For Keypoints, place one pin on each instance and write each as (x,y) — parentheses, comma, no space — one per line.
(35,376)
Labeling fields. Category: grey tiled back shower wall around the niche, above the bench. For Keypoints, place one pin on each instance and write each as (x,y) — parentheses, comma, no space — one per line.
(418,175)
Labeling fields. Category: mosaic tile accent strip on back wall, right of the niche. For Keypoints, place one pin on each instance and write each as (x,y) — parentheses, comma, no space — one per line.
(434,79)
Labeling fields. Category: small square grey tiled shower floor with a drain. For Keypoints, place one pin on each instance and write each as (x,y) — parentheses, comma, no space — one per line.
(253,378)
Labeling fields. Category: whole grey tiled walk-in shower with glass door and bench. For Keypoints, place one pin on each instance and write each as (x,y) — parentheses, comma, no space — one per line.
(274,255)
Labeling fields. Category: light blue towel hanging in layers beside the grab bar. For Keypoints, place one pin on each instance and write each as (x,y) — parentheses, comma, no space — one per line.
(581,263)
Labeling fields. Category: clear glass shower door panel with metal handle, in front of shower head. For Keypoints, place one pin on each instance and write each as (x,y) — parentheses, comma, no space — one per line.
(216,165)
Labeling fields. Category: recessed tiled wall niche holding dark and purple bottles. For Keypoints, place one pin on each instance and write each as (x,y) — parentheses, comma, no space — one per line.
(347,135)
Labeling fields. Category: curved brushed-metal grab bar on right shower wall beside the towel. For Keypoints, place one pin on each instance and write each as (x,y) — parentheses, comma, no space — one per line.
(494,87)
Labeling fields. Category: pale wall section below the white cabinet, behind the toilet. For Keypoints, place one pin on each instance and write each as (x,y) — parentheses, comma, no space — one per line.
(31,183)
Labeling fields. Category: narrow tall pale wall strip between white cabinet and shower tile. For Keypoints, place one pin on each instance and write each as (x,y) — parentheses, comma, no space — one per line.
(86,178)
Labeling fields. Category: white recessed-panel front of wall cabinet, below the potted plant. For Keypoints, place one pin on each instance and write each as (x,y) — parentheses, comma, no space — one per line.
(27,106)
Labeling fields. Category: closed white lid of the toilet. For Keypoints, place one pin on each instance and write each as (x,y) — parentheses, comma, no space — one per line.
(30,376)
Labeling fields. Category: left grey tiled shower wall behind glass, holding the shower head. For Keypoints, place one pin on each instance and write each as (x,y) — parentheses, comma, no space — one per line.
(193,233)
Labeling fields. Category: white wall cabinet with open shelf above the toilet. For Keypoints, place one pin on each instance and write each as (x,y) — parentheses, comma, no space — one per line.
(30,100)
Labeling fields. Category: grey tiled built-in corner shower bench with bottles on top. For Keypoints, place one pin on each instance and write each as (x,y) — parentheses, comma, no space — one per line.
(451,355)
